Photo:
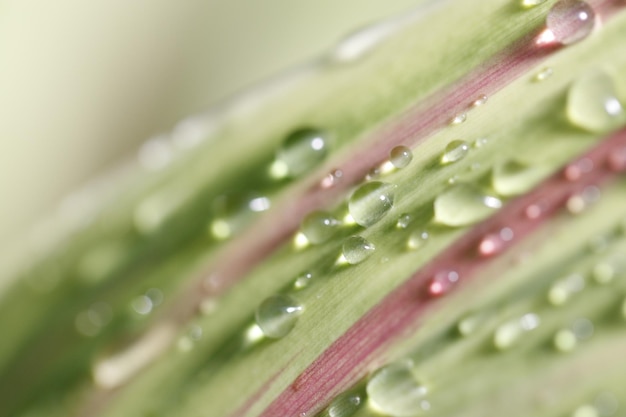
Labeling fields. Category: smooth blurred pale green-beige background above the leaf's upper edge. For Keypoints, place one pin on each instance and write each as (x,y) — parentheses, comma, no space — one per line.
(82,83)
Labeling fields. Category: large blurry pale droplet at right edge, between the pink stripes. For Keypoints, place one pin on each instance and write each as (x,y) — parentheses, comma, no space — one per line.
(592,103)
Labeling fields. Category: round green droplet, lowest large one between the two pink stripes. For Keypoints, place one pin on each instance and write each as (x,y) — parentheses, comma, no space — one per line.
(277,315)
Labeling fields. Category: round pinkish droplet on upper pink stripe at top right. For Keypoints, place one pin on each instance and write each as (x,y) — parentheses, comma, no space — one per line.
(570,21)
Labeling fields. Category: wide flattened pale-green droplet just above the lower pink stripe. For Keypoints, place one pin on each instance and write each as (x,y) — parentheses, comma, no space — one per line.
(464,204)
